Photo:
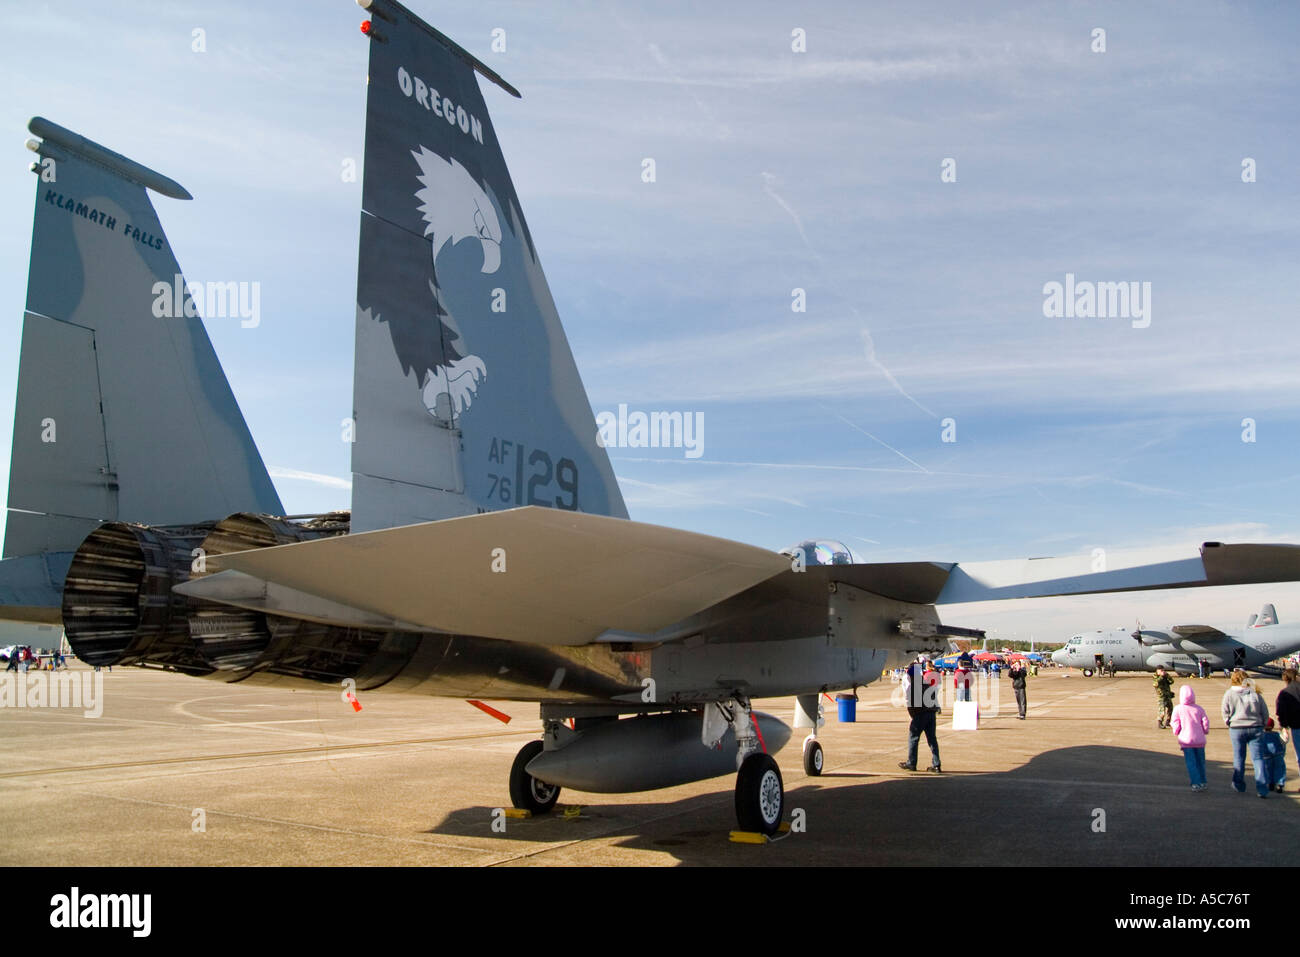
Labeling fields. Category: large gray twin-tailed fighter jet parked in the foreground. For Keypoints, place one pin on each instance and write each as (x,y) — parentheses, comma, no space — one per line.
(488,553)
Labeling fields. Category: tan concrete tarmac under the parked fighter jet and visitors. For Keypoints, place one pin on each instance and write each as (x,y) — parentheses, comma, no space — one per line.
(188,772)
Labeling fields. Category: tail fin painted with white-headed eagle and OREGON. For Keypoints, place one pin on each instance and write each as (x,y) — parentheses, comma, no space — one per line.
(443,237)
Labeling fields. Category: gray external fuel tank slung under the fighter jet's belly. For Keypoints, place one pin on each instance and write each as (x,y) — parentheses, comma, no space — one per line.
(647,752)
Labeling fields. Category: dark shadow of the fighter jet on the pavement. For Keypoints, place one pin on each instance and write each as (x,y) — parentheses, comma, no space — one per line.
(1086,806)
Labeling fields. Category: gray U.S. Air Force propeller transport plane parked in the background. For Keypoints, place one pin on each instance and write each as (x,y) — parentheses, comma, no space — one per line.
(1184,648)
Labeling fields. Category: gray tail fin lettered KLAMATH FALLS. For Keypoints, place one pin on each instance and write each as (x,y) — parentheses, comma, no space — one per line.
(123,410)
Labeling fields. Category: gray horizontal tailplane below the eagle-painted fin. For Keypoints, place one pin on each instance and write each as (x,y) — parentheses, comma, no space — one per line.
(536,575)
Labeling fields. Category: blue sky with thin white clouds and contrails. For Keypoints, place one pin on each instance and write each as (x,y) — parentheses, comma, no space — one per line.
(778,170)
